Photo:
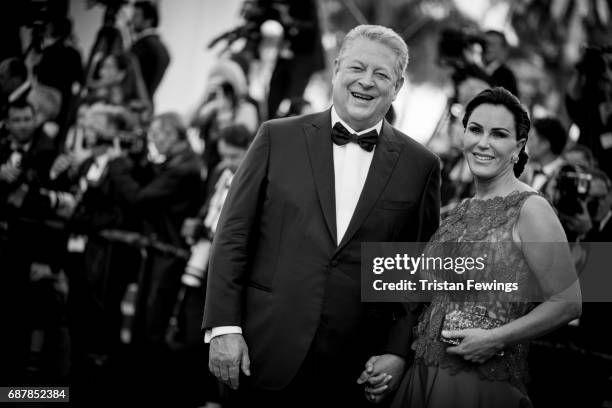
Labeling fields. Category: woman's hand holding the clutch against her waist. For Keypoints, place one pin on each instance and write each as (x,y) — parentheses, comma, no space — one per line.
(477,345)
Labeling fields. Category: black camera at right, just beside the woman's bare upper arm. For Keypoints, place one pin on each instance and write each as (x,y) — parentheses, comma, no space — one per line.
(572,186)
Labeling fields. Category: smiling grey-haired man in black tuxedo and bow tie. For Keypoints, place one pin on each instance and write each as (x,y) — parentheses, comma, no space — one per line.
(283,298)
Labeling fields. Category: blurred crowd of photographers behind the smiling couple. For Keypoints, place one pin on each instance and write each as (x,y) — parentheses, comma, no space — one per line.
(112,181)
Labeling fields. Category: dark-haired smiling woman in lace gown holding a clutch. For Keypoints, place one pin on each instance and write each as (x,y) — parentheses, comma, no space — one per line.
(488,367)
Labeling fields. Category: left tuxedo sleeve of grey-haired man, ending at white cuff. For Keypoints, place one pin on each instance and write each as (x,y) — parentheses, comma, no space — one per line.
(236,236)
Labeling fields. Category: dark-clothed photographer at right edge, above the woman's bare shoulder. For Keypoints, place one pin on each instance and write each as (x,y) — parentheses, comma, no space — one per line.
(589,103)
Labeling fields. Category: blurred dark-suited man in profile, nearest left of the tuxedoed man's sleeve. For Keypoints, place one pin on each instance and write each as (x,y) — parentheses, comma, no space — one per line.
(164,196)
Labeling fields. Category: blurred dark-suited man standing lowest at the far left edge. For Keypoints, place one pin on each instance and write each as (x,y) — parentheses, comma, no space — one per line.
(26,153)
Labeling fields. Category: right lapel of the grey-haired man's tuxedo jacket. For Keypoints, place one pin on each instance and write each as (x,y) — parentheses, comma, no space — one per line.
(385,158)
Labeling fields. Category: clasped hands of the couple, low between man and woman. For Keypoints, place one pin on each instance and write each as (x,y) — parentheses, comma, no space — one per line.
(381,376)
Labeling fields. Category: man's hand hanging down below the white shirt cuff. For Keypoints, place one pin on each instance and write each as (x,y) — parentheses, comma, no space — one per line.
(228,355)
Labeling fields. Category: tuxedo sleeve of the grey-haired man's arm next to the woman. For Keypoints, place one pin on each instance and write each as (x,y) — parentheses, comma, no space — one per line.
(400,335)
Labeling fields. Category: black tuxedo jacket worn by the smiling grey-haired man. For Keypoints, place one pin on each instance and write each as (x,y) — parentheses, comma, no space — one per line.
(275,268)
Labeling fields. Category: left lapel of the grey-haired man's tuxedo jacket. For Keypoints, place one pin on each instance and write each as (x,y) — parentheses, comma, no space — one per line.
(320,153)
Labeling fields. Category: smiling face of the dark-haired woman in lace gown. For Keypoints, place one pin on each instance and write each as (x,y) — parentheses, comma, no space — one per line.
(489,141)
